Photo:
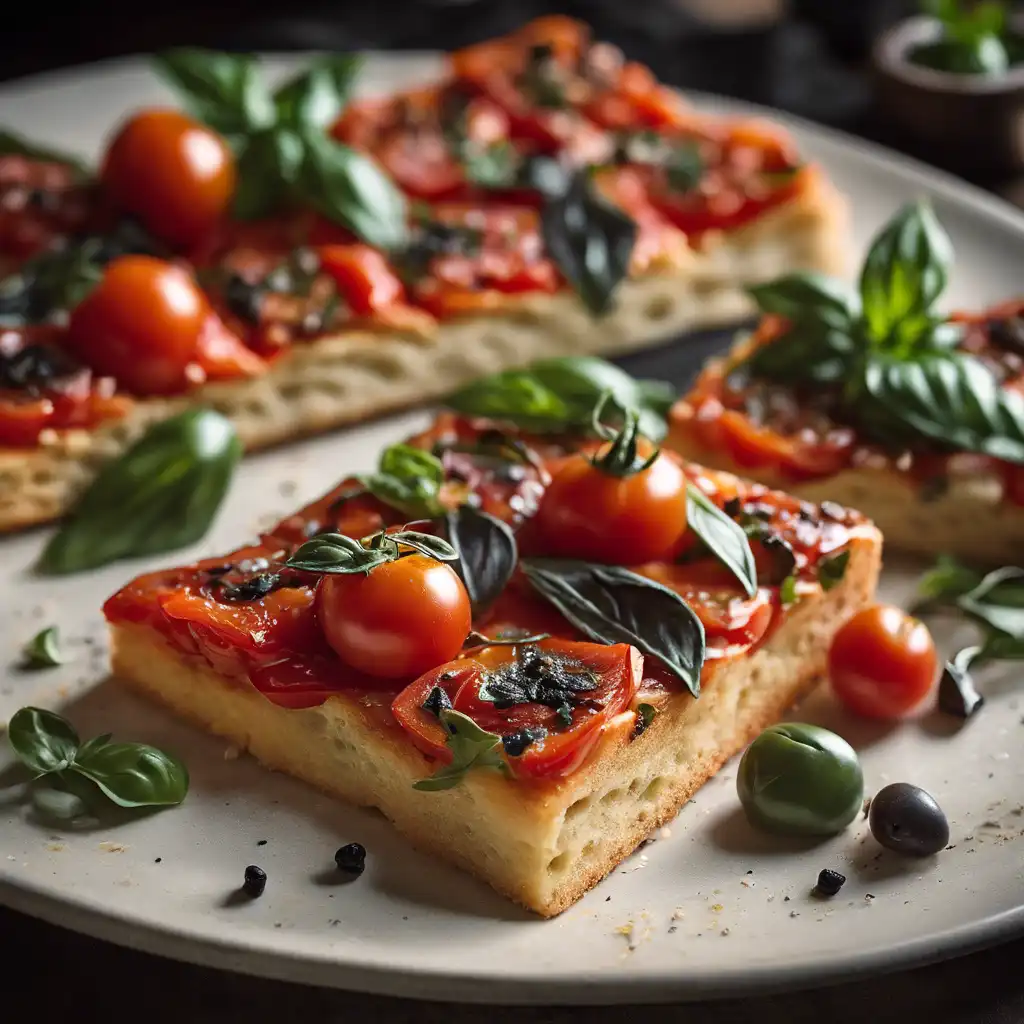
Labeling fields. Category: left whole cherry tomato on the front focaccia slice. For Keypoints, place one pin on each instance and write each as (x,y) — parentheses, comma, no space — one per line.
(398,621)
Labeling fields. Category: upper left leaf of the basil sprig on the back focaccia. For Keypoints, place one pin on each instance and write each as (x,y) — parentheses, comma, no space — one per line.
(225,91)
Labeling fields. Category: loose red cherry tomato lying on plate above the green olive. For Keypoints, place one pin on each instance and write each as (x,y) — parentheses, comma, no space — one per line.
(883,662)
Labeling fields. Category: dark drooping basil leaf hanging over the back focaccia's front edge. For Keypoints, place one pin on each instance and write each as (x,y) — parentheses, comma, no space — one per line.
(590,241)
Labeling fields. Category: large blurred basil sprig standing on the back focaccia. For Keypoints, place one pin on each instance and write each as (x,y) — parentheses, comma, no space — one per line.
(284,153)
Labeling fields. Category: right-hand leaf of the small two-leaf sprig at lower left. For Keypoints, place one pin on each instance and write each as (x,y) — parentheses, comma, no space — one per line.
(135,775)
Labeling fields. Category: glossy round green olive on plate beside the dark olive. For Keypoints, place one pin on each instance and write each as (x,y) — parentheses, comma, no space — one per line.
(798,780)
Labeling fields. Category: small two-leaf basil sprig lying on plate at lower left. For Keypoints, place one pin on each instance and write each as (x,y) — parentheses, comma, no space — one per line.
(130,776)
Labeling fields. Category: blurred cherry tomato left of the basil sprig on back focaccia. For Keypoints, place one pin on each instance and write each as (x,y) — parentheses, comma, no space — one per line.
(176,175)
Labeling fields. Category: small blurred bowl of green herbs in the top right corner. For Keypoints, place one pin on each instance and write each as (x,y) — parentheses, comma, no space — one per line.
(952,80)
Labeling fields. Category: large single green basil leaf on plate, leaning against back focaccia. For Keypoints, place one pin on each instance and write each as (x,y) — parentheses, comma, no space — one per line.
(160,496)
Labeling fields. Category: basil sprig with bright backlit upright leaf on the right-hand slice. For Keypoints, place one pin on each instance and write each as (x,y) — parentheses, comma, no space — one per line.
(890,354)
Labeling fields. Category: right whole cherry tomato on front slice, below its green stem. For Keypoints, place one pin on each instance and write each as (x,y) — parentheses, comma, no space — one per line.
(588,514)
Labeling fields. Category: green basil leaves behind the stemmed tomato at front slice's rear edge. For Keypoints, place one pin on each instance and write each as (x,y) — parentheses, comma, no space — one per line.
(560,396)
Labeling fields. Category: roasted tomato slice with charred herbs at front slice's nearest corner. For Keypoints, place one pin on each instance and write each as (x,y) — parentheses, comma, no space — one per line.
(614,674)
